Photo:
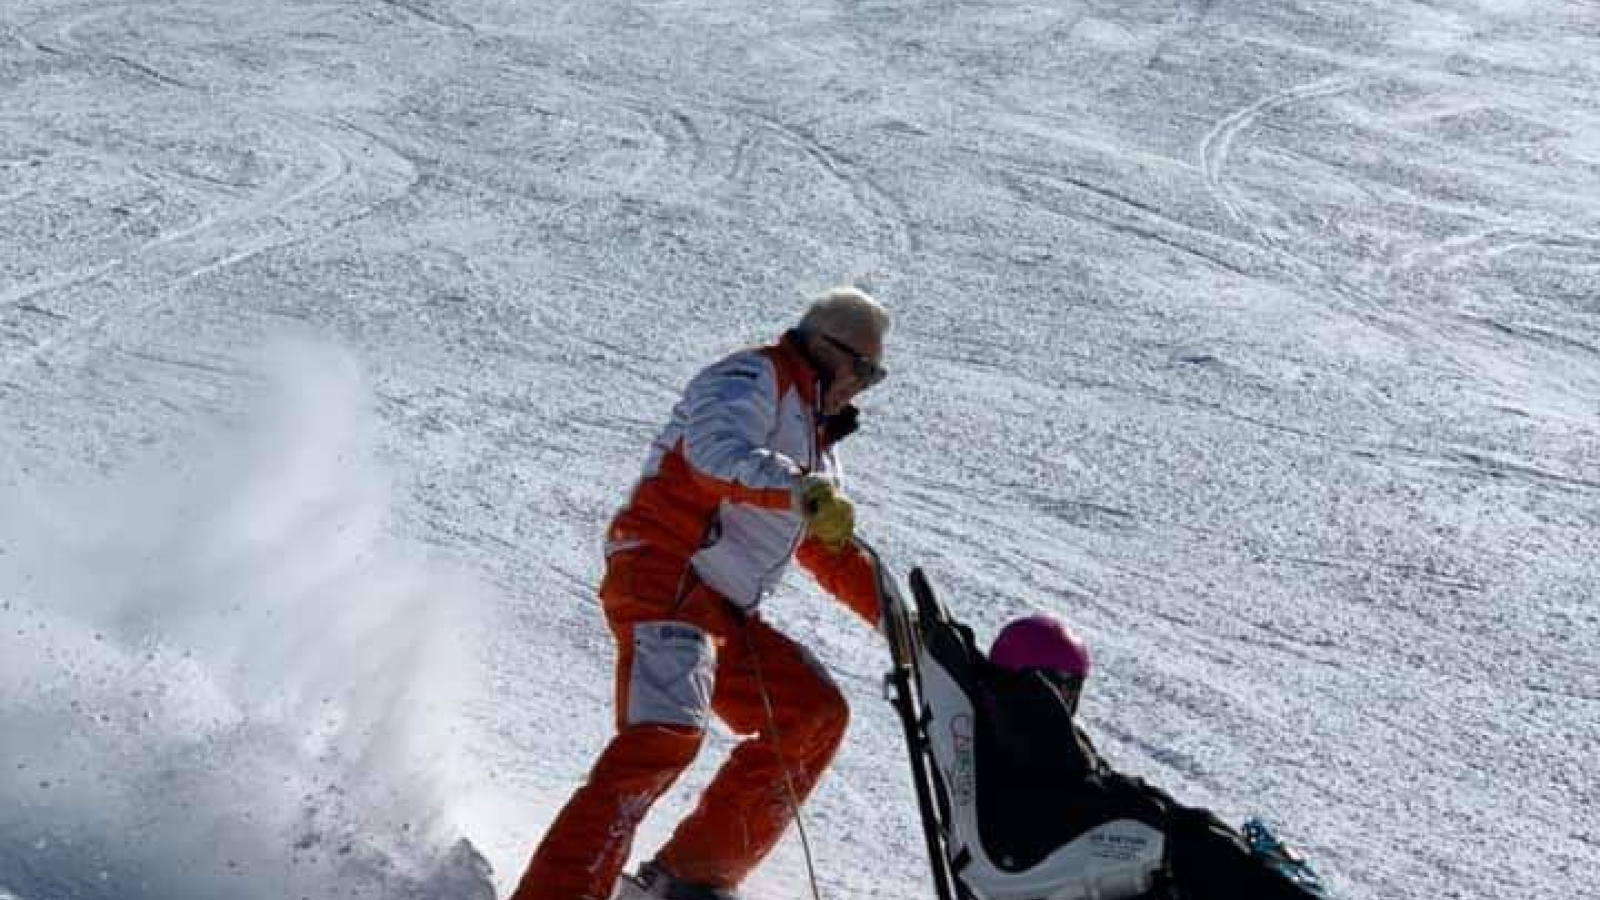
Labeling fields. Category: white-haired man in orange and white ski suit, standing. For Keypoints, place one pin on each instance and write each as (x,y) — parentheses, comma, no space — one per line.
(742,480)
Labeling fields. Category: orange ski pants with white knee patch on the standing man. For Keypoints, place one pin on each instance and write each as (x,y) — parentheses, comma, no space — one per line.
(682,656)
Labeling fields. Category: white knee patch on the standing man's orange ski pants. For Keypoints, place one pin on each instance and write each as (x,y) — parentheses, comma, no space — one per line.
(673,677)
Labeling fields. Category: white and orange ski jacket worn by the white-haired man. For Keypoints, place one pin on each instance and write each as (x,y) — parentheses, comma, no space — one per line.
(719,480)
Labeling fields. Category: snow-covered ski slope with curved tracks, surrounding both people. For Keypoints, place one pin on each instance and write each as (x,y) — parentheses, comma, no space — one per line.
(1260,340)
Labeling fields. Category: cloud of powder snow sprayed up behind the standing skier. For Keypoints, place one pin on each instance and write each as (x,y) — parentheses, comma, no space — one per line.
(222,678)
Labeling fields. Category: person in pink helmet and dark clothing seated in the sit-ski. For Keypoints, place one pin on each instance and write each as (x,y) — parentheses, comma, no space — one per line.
(1057,774)
